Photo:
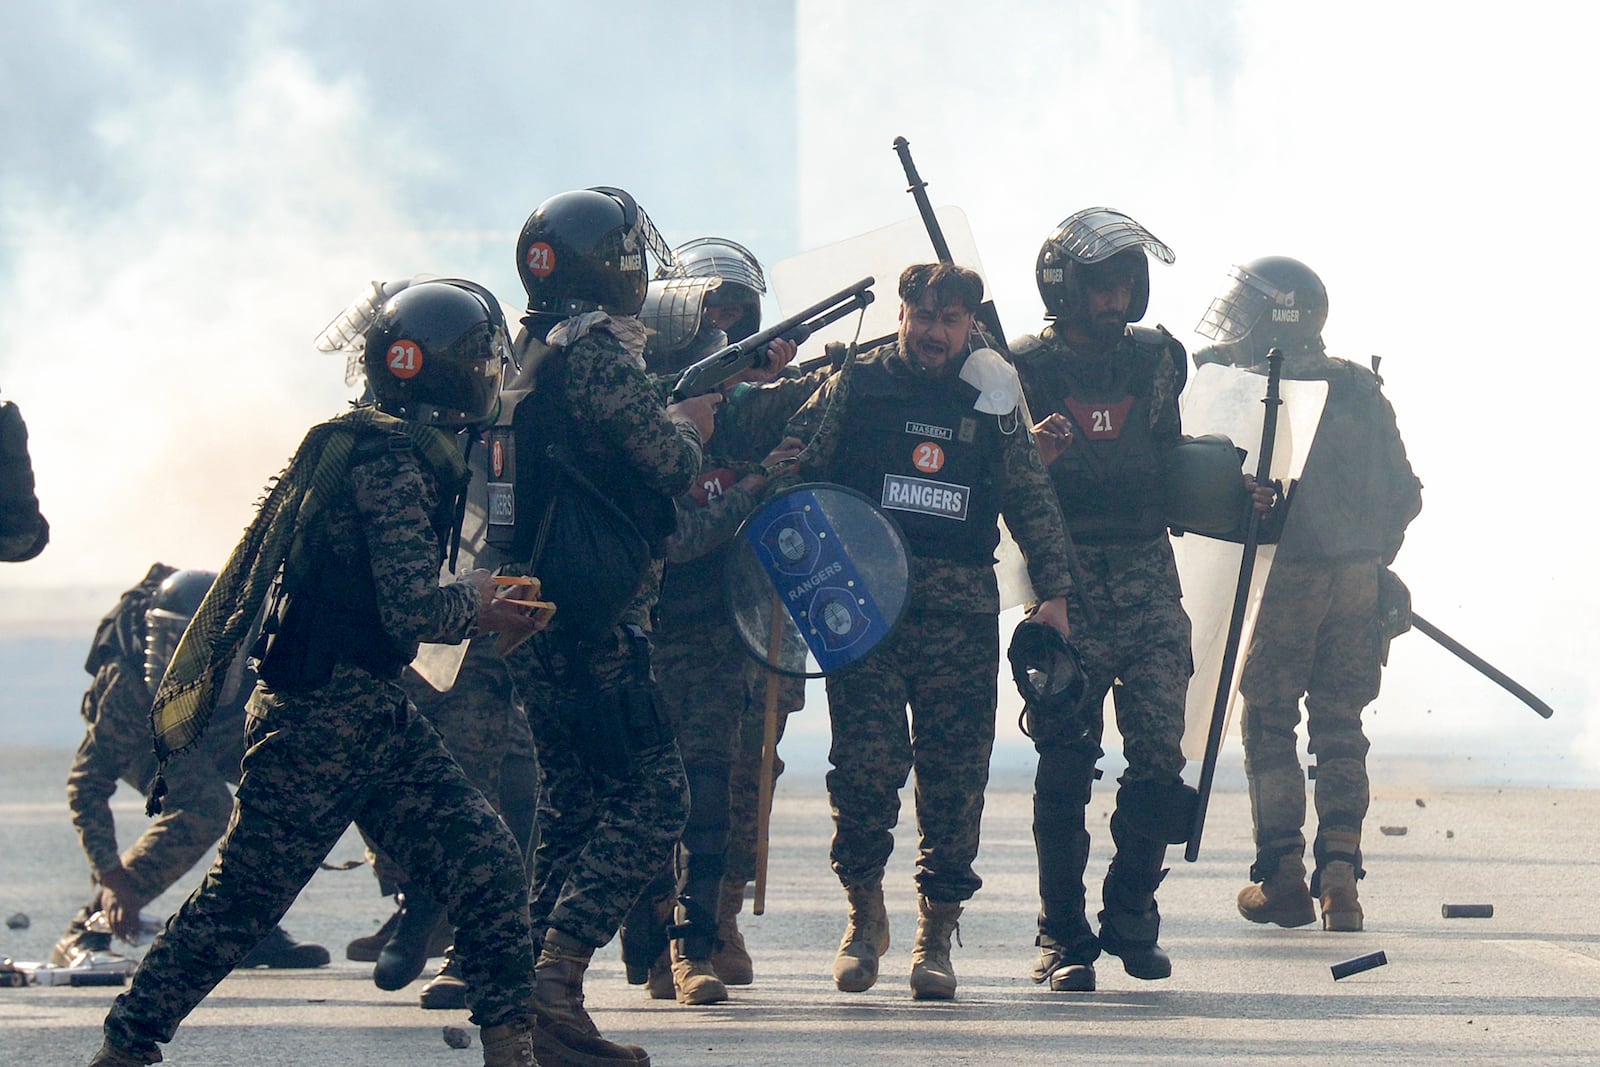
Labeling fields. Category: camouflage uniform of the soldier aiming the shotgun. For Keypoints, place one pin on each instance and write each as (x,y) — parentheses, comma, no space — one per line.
(609,813)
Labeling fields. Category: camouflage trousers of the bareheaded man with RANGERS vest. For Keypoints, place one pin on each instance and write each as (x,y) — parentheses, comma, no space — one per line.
(943,666)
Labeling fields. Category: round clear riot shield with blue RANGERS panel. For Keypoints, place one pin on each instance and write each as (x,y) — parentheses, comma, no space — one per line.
(817,580)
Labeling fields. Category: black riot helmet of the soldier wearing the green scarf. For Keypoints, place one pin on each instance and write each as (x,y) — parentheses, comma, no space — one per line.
(438,353)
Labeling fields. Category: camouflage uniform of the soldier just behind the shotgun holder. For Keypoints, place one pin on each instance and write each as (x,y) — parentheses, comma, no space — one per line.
(706,679)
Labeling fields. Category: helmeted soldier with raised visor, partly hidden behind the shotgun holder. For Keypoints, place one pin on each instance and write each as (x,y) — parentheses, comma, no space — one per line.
(706,681)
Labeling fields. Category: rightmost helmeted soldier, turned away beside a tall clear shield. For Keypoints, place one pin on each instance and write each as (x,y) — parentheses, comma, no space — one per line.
(1318,634)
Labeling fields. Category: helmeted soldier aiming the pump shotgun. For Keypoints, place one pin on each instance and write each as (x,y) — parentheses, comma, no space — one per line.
(614,796)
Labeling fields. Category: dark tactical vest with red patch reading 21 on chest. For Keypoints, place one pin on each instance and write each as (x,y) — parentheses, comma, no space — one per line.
(1110,481)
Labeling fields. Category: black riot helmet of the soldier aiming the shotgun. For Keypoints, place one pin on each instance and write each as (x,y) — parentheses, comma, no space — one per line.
(585,250)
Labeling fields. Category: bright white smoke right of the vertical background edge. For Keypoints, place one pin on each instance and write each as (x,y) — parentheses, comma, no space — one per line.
(1425,164)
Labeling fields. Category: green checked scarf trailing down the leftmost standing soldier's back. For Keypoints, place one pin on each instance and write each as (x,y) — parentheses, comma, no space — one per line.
(276,540)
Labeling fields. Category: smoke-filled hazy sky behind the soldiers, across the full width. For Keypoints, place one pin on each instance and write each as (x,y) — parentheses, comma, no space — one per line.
(188,194)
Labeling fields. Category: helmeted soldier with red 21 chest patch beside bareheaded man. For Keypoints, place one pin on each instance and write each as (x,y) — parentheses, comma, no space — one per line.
(1110,396)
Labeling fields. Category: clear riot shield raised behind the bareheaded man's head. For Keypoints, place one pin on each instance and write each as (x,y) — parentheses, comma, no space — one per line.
(884,254)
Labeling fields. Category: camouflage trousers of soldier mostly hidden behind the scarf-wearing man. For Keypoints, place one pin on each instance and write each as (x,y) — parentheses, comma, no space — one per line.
(487,732)
